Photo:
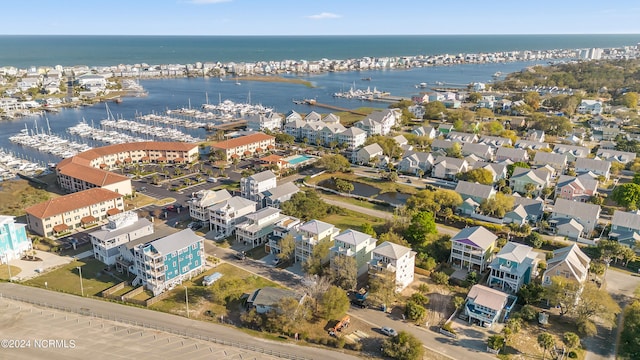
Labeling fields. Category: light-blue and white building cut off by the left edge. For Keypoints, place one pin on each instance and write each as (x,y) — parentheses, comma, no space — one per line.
(13,239)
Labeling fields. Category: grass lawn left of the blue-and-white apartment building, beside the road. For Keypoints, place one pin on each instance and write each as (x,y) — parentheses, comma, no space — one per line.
(66,279)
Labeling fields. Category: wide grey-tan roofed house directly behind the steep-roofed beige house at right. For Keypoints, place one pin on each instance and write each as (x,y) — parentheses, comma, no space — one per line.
(567,215)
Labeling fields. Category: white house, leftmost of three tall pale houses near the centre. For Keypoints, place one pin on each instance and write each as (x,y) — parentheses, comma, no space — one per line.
(308,236)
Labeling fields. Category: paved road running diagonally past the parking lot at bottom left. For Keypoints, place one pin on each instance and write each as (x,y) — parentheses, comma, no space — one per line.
(162,321)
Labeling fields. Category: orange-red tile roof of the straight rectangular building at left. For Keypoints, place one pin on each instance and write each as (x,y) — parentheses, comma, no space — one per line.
(71,202)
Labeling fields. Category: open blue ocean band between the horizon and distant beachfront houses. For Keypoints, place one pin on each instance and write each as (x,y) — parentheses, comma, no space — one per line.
(26,50)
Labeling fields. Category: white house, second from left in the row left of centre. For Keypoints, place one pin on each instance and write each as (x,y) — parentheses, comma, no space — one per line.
(224,215)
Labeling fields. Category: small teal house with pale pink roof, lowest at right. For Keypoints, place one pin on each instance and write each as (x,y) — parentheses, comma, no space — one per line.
(485,306)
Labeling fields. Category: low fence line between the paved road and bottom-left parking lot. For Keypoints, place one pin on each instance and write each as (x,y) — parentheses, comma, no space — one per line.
(87,312)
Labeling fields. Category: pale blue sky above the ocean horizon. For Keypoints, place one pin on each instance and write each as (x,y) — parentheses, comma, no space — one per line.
(318,17)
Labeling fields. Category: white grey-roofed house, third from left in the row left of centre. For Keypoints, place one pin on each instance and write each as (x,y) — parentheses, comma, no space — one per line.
(258,226)
